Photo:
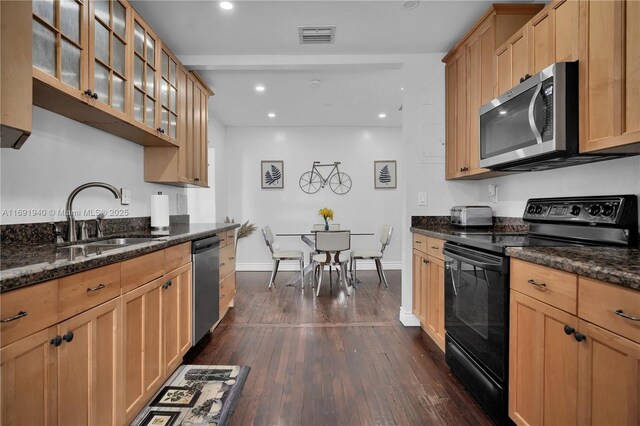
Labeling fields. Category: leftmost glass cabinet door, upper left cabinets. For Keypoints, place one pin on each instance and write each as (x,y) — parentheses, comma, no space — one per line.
(59,41)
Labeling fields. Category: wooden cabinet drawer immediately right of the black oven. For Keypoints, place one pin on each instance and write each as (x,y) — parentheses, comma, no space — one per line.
(557,288)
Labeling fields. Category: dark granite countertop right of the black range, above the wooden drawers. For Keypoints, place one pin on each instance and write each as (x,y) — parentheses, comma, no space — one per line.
(611,264)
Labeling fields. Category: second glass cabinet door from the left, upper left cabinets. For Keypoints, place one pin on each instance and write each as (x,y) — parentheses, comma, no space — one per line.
(109,55)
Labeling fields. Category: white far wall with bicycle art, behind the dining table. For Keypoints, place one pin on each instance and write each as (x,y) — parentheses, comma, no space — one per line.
(290,210)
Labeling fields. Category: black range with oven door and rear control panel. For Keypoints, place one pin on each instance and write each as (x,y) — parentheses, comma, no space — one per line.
(477,283)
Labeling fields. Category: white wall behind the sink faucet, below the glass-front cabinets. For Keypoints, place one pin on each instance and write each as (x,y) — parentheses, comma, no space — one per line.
(61,154)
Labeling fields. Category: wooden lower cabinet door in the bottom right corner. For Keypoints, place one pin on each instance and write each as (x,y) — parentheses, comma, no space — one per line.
(609,385)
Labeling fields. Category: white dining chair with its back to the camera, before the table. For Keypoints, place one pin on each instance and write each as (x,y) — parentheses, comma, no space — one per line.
(330,246)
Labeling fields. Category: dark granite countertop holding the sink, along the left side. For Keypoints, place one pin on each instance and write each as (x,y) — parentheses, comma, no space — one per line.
(22,265)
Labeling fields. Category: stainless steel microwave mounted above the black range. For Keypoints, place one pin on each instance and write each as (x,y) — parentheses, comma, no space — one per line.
(534,126)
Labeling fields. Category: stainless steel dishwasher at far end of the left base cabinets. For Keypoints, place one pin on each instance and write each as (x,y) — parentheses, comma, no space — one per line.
(206,285)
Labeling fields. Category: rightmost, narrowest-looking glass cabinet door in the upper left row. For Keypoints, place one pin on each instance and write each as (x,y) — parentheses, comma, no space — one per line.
(169,95)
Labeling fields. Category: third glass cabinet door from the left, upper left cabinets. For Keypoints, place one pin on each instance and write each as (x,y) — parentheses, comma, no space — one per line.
(145,92)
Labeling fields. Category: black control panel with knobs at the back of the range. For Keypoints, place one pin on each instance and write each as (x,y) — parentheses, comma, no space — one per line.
(608,210)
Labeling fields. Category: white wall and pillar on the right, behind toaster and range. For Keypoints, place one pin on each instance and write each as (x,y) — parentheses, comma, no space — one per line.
(423,153)
